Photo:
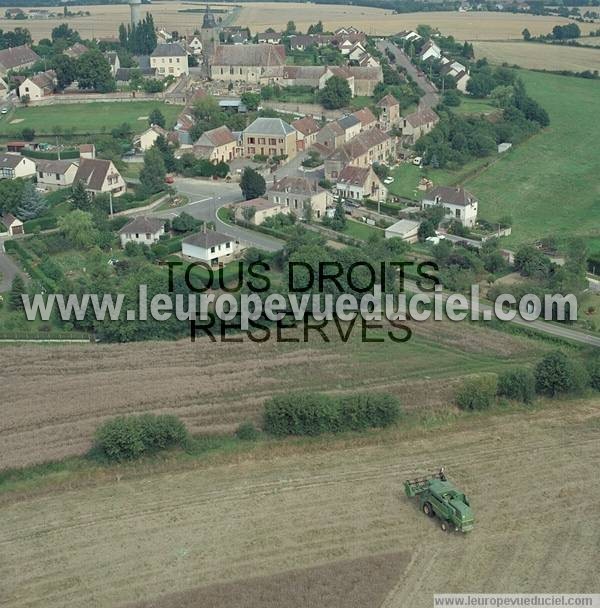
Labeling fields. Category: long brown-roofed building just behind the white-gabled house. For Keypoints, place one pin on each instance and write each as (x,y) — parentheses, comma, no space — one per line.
(363,150)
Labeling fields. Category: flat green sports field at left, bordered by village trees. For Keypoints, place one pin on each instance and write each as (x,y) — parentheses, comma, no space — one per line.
(98,117)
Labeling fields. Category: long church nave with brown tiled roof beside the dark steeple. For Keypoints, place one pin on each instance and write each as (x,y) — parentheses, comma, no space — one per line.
(253,64)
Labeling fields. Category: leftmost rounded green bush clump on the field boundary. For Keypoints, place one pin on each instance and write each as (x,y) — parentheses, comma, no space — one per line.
(129,437)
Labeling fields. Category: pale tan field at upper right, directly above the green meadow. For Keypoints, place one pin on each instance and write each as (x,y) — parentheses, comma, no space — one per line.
(539,56)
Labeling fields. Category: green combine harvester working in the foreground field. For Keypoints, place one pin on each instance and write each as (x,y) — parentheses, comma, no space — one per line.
(437,496)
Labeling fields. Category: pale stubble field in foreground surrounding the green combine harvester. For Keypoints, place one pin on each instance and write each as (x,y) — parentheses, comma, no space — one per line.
(184,534)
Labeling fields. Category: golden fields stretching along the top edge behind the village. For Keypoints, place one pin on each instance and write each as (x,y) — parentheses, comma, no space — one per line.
(105,19)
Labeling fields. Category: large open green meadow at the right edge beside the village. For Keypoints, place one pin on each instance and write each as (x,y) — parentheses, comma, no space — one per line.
(550,185)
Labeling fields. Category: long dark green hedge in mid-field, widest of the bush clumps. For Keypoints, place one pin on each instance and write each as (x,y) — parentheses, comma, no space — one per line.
(313,413)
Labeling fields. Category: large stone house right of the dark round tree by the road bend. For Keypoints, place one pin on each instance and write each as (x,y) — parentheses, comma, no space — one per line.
(301,196)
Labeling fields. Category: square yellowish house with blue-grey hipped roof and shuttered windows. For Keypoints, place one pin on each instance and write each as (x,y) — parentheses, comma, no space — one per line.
(269,137)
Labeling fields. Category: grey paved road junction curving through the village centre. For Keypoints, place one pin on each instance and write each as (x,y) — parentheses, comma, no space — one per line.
(206,198)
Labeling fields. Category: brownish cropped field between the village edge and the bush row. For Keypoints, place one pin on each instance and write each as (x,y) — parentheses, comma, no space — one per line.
(215,386)
